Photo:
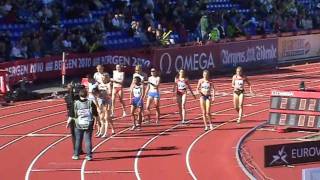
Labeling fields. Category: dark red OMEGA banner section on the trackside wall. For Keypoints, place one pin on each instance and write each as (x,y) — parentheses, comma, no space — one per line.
(190,58)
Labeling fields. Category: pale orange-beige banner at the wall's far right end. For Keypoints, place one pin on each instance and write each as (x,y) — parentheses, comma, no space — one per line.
(298,47)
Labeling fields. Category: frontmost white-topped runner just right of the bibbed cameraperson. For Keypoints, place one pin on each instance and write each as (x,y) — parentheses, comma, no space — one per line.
(105,93)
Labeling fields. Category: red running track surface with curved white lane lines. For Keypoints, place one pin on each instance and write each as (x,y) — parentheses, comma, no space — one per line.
(35,142)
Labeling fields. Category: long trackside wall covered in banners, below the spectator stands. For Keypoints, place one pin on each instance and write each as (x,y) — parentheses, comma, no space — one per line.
(252,54)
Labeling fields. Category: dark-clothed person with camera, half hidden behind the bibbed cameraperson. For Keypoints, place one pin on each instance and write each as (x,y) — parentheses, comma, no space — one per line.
(70,98)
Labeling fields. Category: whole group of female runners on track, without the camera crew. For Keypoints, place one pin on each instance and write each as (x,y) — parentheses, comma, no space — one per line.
(104,90)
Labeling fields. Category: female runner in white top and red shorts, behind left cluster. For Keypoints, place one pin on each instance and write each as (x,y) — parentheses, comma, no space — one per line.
(117,90)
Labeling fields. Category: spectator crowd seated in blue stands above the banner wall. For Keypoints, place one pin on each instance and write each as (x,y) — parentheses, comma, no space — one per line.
(151,22)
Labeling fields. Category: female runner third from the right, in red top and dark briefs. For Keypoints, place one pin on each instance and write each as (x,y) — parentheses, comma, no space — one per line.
(180,87)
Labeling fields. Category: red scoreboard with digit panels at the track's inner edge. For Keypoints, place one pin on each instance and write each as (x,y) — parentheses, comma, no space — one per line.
(295,109)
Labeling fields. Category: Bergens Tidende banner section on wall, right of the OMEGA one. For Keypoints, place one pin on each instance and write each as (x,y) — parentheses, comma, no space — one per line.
(248,54)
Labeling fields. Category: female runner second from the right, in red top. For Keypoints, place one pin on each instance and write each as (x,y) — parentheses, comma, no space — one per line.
(206,90)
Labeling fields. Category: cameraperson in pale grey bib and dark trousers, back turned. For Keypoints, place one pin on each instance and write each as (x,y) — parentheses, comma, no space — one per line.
(85,113)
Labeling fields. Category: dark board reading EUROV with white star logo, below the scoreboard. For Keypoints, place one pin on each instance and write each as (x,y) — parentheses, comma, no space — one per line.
(293,153)
